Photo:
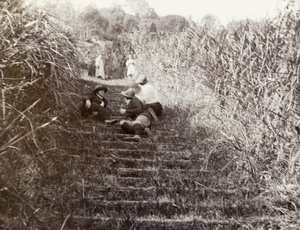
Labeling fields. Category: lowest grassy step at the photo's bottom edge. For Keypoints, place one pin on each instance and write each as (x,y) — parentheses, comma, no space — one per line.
(183,222)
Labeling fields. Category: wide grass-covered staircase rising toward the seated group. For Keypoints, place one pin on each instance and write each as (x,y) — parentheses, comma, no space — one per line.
(148,185)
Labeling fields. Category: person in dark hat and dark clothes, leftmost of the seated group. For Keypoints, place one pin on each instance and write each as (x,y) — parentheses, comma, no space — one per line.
(96,103)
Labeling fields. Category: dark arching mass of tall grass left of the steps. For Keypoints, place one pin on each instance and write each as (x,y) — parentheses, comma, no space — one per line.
(38,68)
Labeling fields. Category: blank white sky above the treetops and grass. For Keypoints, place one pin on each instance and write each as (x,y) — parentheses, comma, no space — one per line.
(224,10)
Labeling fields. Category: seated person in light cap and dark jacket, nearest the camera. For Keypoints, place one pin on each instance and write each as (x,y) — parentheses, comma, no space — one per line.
(137,119)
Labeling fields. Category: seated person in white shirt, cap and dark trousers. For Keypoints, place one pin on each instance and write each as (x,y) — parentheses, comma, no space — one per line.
(148,95)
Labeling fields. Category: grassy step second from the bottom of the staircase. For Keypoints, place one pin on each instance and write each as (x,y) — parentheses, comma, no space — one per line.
(166,207)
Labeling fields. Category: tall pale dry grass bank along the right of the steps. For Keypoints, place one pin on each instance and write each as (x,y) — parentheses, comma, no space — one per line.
(236,95)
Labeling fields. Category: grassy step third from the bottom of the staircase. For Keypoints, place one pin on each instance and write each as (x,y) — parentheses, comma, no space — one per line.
(155,193)
